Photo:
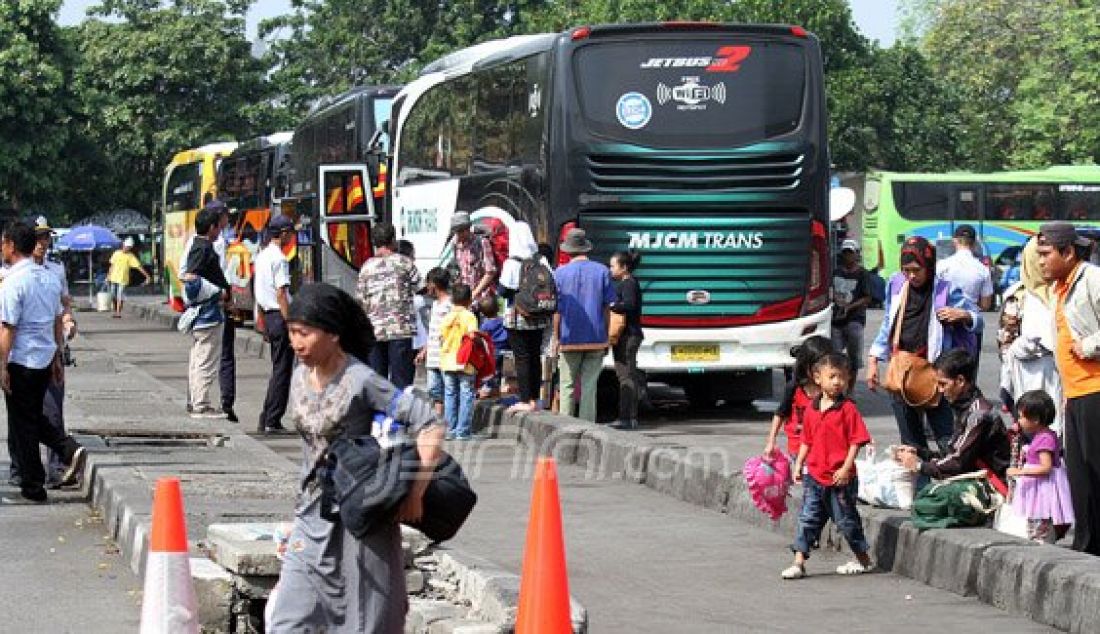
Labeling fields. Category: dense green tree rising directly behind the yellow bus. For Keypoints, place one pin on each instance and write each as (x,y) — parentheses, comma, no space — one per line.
(157,80)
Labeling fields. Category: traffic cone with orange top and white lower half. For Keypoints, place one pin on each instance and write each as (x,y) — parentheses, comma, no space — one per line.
(169,606)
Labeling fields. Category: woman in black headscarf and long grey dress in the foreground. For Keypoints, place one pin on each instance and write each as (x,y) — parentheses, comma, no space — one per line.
(331,581)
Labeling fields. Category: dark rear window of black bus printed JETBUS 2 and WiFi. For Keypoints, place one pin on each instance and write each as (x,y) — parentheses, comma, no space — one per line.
(698,93)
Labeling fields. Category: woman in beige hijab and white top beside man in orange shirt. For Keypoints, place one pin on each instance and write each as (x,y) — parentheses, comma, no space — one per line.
(1026,336)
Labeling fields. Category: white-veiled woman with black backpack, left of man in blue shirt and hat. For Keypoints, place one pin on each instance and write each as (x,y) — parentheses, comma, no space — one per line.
(526,325)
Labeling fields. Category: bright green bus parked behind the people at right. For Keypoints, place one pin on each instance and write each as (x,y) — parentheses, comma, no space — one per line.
(1005,207)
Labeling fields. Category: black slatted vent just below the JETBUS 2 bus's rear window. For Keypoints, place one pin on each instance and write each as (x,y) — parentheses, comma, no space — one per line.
(623,173)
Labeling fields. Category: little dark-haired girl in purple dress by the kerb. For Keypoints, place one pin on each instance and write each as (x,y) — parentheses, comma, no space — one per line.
(1042,493)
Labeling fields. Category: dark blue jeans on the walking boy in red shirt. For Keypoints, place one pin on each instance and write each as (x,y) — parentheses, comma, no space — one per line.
(822,504)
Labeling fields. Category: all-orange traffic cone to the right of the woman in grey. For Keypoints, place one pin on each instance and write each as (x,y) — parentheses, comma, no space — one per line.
(544,589)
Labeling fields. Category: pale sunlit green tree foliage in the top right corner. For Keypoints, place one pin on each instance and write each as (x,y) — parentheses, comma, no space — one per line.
(1025,73)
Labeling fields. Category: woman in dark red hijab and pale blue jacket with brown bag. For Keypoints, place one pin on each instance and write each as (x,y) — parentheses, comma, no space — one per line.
(937,318)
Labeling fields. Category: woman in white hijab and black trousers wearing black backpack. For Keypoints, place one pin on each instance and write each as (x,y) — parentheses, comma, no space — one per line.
(525,333)
